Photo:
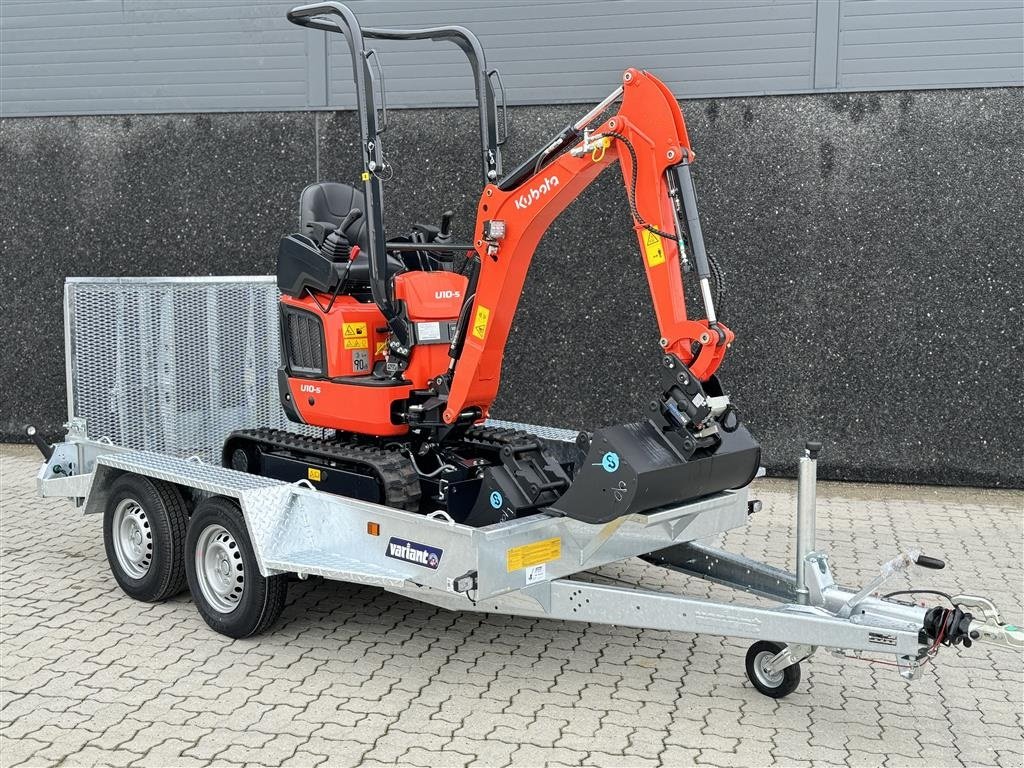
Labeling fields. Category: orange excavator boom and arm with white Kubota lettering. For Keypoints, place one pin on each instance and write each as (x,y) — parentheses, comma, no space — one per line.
(648,137)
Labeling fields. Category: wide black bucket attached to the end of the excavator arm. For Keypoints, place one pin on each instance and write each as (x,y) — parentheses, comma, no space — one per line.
(634,468)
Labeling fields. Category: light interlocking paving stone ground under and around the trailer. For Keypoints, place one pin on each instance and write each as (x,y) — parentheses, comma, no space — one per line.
(356,676)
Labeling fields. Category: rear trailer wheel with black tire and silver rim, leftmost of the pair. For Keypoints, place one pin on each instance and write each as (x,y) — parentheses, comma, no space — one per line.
(145,525)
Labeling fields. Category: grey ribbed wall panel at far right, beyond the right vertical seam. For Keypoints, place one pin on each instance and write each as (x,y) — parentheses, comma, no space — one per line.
(923,44)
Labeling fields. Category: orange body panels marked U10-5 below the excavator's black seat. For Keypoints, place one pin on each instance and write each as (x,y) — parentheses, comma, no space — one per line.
(328,354)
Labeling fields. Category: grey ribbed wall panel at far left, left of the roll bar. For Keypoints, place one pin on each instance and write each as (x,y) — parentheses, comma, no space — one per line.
(61,58)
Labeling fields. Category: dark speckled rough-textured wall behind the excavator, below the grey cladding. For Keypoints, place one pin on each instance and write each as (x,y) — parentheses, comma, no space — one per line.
(873,247)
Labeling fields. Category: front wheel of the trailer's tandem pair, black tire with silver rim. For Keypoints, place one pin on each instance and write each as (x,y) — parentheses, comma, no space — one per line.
(231,594)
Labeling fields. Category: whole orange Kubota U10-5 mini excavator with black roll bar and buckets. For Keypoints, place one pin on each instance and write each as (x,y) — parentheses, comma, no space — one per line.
(395,348)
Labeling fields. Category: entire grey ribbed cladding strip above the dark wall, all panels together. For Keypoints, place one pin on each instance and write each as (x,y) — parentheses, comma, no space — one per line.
(112,57)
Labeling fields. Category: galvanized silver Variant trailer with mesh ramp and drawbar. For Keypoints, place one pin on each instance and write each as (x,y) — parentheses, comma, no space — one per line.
(160,370)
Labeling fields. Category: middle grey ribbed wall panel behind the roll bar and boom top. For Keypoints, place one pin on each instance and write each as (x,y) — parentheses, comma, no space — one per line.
(577,52)
